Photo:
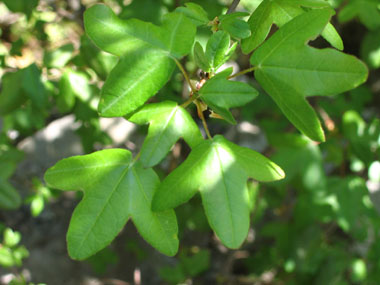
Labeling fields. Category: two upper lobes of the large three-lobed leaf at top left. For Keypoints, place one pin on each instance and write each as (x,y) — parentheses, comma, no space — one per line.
(119,37)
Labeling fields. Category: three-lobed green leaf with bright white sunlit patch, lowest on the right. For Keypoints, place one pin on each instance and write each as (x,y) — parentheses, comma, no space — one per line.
(219,169)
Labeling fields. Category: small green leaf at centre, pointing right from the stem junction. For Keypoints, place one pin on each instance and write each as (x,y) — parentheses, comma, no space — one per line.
(221,94)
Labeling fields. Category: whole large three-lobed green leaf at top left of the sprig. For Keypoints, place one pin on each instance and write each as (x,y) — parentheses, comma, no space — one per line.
(145,50)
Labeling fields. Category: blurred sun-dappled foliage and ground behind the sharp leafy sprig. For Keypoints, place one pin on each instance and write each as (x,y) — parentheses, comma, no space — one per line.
(318,226)
